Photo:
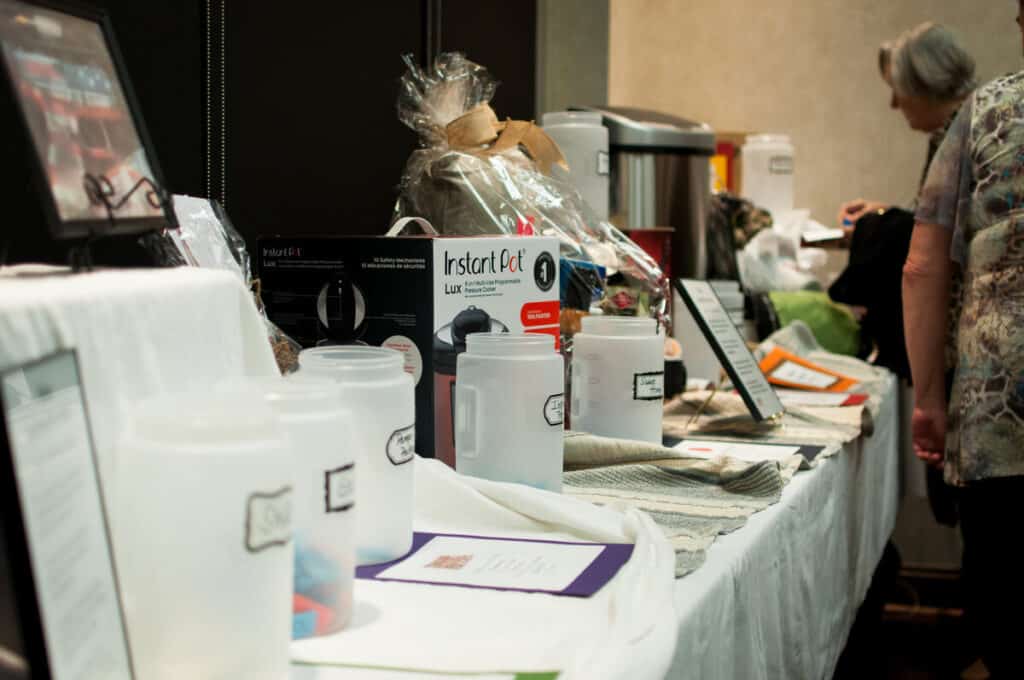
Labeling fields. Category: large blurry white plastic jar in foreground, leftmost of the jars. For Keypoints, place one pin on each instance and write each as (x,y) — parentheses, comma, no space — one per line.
(204,537)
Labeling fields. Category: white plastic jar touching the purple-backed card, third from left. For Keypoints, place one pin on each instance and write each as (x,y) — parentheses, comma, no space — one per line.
(378,394)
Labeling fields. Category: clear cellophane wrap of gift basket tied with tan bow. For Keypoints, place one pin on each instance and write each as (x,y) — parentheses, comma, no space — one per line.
(476,176)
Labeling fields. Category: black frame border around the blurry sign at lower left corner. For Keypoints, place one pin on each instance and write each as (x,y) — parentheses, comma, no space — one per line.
(13,524)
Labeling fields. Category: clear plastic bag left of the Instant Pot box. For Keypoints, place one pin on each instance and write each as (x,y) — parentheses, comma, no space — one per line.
(205,238)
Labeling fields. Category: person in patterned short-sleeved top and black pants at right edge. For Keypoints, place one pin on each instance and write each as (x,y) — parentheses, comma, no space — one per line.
(971,217)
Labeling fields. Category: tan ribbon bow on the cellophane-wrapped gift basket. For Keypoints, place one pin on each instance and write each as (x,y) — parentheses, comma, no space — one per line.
(480,132)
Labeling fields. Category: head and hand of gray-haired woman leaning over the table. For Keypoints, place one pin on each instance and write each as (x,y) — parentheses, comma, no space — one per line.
(930,75)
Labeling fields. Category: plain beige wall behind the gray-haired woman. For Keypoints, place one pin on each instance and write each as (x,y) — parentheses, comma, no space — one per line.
(807,68)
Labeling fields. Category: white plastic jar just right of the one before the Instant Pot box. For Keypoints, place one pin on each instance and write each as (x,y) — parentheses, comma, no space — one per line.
(619,378)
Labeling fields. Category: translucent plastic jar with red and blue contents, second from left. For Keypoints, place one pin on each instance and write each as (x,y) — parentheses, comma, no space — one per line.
(319,431)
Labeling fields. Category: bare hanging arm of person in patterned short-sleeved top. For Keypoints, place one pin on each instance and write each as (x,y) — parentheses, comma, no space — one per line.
(926,309)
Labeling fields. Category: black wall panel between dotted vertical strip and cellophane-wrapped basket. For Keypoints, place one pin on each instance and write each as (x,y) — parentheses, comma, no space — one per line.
(314,145)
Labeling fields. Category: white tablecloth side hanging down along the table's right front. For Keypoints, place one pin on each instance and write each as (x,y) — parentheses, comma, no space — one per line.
(777,600)
